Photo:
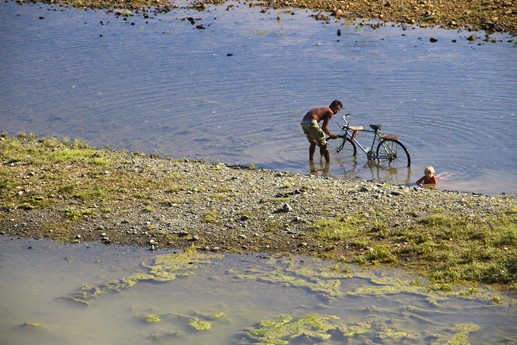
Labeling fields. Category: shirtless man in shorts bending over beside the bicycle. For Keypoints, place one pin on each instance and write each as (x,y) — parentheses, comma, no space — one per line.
(316,134)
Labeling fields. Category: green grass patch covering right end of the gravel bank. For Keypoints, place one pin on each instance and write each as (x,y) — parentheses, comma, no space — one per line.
(451,247)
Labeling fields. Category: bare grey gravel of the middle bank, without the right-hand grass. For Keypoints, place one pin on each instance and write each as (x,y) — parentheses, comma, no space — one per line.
(214,206)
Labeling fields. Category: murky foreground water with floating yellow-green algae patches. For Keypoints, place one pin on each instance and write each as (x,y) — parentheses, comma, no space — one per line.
(214,299)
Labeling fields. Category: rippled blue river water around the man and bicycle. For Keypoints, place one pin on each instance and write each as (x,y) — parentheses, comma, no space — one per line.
(233,86)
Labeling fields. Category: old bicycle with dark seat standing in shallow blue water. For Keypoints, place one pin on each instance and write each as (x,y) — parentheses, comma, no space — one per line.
(389,149)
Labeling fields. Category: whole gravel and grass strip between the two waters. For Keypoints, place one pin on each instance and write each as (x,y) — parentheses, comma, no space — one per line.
(134,199)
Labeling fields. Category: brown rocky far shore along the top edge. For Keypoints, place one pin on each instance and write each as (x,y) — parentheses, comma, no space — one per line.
(491,16)
